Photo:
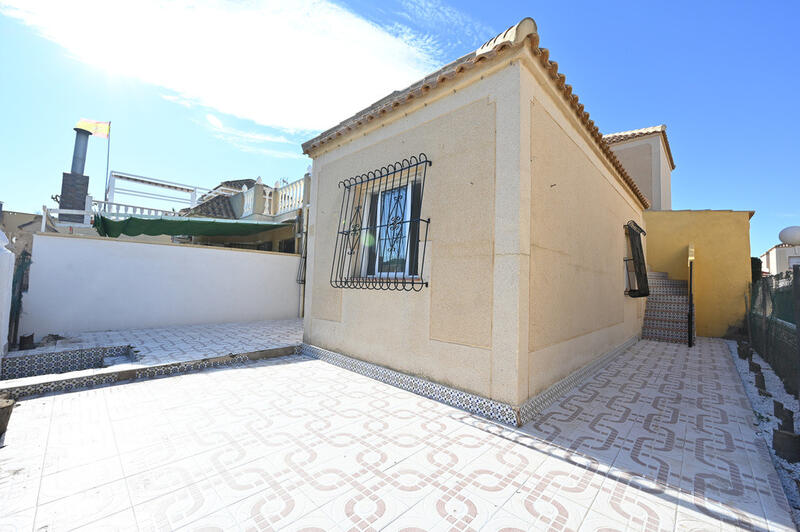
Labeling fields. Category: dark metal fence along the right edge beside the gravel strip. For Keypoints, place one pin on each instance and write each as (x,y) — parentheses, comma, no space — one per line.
(773,321)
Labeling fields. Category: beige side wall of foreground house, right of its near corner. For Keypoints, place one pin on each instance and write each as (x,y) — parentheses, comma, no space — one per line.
(577,306)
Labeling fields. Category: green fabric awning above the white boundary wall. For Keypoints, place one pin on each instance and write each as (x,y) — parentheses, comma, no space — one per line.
(174,225)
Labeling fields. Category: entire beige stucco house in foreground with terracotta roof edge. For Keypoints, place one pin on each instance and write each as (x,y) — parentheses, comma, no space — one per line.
(511,219)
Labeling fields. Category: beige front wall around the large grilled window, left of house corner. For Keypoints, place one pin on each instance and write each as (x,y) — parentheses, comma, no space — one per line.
(446,332)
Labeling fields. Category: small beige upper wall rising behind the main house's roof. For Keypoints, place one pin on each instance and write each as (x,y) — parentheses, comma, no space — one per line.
(646,160)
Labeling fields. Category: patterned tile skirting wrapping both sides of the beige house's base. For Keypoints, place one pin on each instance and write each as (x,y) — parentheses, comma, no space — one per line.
(476,404)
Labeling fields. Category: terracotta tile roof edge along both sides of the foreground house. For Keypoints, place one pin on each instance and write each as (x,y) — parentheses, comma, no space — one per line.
(522,34)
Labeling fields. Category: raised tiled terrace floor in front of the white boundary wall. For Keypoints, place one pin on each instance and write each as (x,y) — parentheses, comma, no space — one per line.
(168,345)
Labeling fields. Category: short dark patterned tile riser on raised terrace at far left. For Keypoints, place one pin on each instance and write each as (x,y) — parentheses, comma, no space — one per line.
(20,364)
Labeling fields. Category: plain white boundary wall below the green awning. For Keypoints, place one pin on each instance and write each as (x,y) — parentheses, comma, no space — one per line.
(80,284)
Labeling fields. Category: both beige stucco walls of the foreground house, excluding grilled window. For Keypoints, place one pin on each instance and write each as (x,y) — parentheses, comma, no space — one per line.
(497,319)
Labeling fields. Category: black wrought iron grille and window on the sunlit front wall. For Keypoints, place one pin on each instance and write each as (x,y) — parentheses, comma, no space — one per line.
(381,238)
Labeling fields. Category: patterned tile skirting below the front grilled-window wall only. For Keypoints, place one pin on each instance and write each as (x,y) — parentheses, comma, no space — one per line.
(475,404)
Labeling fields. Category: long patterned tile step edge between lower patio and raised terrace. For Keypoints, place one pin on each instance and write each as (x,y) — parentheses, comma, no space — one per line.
(126,375)
